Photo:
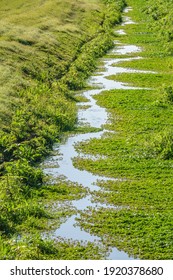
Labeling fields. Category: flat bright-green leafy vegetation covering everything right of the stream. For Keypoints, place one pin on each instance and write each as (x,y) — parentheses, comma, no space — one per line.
(140,152)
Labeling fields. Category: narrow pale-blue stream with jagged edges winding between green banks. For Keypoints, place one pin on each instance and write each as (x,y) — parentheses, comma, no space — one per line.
(95,116)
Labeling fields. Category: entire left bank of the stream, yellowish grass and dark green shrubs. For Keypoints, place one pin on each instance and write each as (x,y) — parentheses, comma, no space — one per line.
(48,49)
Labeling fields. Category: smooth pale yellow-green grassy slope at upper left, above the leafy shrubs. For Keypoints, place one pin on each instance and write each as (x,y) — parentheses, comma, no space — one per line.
(33,41)
